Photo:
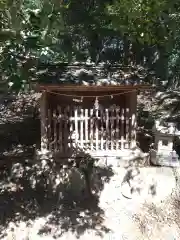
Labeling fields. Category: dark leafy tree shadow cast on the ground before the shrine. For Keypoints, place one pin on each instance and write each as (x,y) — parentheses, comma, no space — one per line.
(54,190)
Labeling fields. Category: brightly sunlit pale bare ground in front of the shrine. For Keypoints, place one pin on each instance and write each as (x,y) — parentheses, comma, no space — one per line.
(145,215)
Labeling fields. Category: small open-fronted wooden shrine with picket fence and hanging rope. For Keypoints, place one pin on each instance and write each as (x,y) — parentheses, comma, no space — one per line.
(98,119)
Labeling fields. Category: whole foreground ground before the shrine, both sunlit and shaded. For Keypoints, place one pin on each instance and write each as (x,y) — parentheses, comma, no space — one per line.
(44,211)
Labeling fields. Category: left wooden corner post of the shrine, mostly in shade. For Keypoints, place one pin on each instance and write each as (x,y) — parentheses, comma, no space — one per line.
(44,121)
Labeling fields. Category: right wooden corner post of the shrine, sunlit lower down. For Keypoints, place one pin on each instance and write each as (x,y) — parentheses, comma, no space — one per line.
(133,123)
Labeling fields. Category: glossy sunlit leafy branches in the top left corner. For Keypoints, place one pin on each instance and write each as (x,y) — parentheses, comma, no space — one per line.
(30,29)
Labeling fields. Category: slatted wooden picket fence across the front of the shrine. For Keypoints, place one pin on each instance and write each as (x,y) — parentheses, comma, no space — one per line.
(95,129)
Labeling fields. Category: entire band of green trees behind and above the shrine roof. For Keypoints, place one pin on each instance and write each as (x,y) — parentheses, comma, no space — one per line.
(128,32)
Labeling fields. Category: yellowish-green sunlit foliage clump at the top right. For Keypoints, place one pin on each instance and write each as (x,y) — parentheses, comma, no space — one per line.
(141,20)
